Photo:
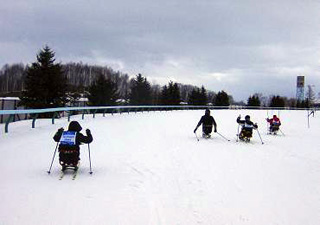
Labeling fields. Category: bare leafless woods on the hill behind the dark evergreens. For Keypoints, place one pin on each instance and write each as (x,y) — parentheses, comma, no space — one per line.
(79,77)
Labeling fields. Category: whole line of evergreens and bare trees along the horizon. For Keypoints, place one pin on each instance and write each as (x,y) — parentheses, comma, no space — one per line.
(47,84)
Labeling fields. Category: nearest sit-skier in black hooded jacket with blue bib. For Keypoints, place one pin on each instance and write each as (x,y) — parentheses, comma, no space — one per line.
(69,144)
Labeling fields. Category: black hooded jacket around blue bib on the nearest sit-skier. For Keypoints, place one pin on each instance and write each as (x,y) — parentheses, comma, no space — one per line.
(80,138)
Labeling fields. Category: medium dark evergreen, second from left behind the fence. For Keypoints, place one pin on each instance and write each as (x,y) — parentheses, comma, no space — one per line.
(102,92)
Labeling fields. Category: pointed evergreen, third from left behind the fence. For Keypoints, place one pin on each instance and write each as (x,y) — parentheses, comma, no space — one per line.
(140,91)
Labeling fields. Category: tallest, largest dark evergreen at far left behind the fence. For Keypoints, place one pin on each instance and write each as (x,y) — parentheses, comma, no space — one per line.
(45,85)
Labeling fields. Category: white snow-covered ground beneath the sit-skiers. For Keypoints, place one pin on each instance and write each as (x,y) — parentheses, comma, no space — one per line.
(149,169)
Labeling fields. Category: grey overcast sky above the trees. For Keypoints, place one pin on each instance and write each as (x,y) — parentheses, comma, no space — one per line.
(240,46)
